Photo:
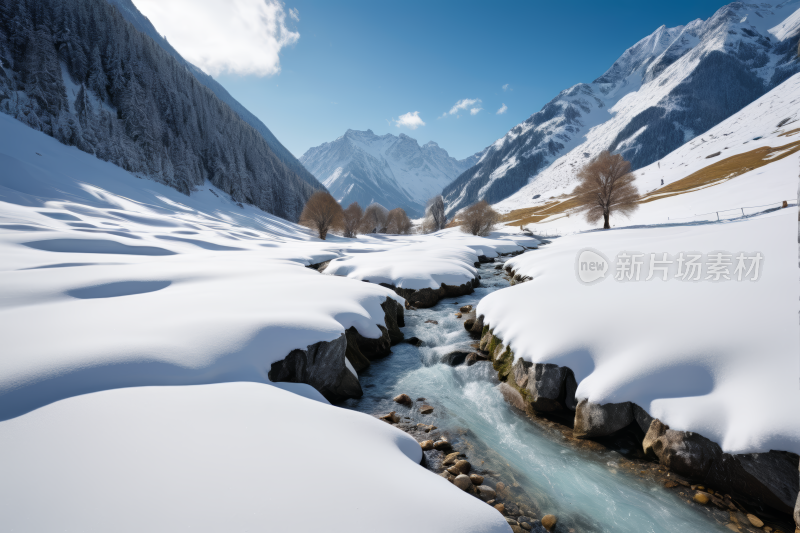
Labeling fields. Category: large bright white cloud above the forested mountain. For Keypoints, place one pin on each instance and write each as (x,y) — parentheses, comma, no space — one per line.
(235,36)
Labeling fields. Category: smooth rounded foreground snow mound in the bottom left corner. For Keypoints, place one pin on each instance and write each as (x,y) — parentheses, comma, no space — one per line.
(227,457)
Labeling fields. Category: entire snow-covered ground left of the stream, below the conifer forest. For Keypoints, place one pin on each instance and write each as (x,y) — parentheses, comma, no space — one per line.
(138,326)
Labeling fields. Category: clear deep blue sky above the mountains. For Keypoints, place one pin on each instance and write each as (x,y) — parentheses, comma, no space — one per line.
(363,64)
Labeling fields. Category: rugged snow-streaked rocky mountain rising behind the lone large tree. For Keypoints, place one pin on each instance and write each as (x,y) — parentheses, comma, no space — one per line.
(667,89)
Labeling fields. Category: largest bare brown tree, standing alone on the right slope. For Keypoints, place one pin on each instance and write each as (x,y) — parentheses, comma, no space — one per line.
(605,187)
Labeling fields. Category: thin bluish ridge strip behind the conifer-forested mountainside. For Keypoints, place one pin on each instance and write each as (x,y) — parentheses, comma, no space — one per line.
(143,24)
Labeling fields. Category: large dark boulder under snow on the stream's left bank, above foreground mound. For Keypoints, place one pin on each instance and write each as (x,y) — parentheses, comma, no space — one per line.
(321,365)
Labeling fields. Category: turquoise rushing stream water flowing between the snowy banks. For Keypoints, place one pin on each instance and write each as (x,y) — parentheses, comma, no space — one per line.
(587,490)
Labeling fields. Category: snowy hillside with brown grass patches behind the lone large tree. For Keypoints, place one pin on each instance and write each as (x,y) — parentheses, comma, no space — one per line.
(746,164)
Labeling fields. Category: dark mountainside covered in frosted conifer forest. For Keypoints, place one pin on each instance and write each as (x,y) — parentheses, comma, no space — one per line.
(81,73)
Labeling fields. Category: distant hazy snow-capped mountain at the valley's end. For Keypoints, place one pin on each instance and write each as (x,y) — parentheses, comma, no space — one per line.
(393,170)
